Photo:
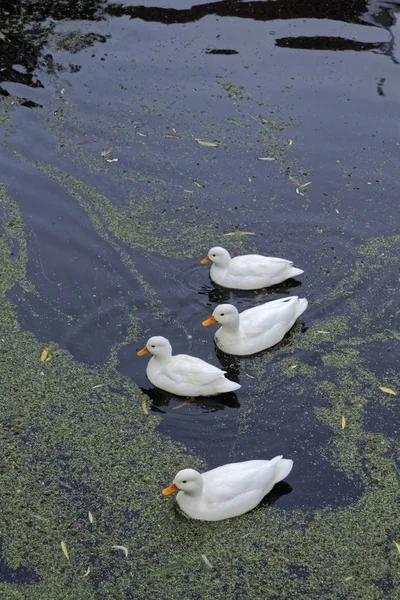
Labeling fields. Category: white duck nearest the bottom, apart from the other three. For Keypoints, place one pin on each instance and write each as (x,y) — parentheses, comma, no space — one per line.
(227,491)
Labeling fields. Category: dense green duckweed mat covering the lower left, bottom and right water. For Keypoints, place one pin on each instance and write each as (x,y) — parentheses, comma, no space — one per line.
(82,467)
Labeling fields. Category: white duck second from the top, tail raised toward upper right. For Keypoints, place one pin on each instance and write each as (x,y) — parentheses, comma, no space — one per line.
(257,328)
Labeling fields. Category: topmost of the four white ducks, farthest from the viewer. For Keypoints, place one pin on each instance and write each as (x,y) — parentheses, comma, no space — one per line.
(248,272)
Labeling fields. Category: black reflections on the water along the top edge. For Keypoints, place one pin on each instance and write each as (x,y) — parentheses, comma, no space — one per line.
(26,27)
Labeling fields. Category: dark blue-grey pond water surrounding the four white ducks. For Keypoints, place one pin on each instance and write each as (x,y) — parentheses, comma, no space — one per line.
(134,138)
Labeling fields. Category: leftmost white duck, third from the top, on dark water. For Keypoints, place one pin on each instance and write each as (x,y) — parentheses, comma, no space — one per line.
(182,374)
